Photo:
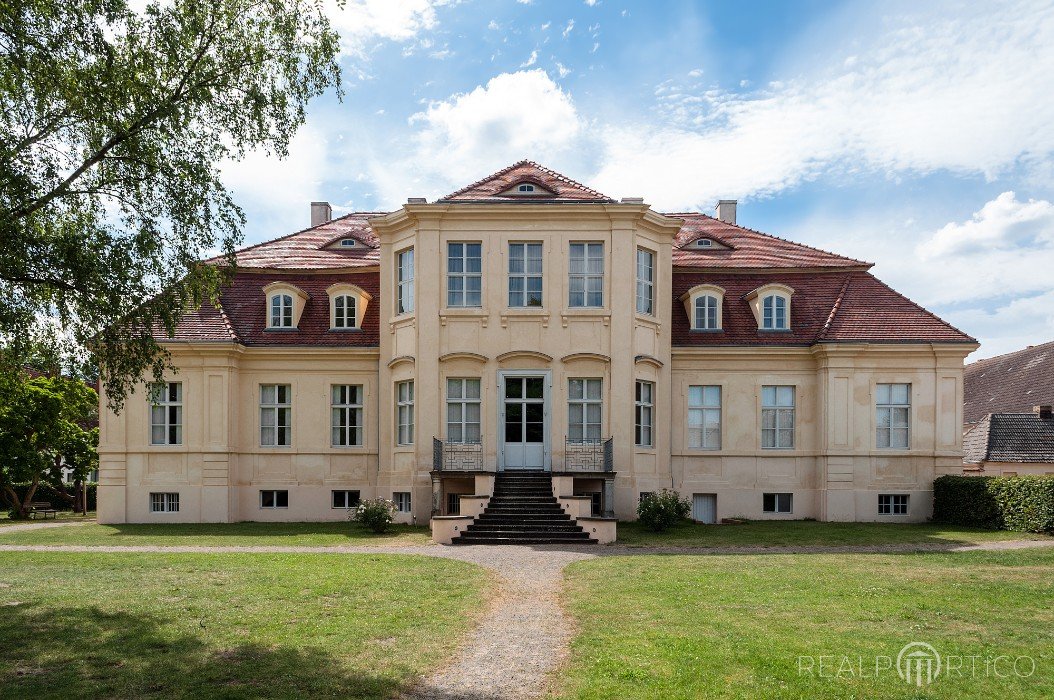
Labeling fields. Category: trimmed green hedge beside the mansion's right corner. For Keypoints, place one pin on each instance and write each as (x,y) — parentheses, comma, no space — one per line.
(1003,503)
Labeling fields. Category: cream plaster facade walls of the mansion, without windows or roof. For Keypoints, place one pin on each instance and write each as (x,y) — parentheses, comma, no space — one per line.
(834,471)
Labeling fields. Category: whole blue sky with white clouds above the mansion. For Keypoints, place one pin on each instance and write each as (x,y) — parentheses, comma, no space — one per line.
(914,135)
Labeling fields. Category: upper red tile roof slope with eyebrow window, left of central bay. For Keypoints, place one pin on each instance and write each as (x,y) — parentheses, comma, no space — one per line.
(306,250)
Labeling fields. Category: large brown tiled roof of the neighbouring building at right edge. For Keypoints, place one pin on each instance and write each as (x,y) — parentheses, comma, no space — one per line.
(1009,384)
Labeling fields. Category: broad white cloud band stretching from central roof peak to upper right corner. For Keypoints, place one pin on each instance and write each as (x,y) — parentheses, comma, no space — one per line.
(966,92)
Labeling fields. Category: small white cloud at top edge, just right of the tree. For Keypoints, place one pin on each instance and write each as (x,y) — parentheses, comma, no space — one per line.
(361,22)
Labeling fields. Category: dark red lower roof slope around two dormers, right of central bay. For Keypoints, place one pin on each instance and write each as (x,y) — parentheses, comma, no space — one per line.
(827,307)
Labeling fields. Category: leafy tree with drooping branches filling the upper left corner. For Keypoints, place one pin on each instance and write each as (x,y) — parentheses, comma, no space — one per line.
(113,125)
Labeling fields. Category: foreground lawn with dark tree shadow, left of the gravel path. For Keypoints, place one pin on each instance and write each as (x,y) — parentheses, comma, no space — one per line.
(119,626)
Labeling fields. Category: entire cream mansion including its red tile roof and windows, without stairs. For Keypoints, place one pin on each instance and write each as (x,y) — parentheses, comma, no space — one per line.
(529,322)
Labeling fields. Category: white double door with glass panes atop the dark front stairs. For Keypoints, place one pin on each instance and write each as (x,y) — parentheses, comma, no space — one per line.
(523,422)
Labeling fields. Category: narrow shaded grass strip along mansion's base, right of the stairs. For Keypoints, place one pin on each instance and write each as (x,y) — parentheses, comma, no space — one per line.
(804,533)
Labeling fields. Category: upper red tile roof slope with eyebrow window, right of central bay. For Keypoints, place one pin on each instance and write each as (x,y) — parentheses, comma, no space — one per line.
(747,248)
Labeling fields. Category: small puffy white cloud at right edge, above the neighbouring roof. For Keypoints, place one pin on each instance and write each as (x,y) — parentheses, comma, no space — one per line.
(1003,224)
